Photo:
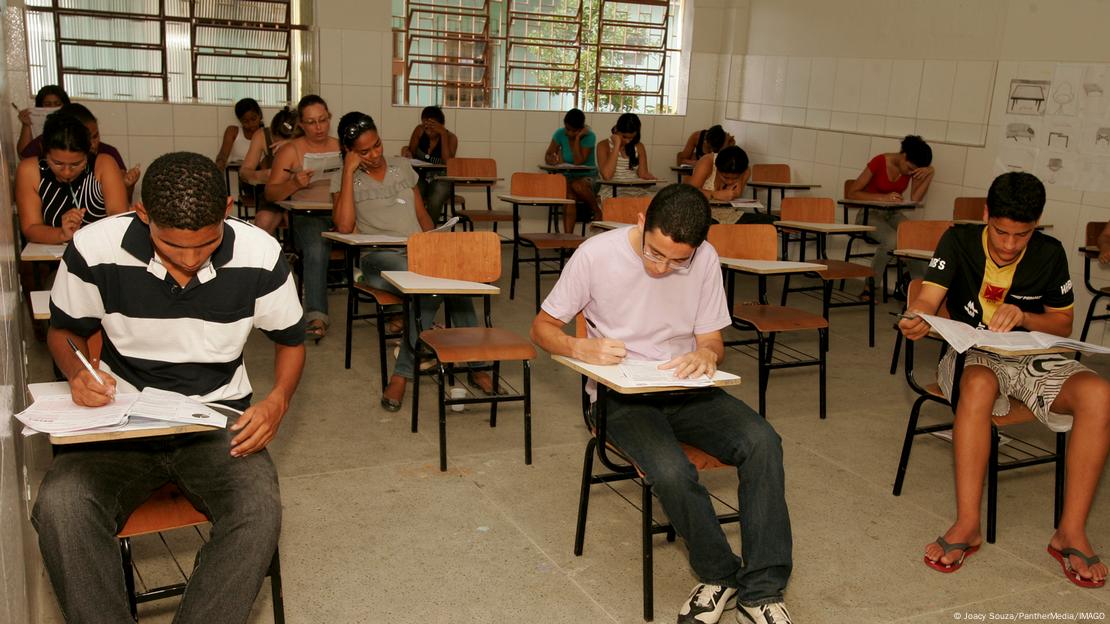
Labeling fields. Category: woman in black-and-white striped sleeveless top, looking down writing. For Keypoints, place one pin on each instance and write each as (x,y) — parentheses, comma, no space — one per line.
(69,187)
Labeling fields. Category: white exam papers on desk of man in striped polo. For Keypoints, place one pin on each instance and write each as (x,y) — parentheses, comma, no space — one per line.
(150,409)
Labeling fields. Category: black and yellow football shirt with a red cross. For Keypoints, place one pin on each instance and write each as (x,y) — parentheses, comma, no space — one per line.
(962,265)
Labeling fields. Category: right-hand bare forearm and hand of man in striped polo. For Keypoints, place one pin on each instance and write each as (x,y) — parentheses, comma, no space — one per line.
(260,422)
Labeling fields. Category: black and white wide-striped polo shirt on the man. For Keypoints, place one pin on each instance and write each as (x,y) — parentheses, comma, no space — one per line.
(157,334)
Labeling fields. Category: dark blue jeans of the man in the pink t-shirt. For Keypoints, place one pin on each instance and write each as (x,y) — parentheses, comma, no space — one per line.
(649,430)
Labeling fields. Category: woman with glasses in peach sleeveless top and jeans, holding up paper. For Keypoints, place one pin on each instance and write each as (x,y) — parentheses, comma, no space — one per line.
(289,179)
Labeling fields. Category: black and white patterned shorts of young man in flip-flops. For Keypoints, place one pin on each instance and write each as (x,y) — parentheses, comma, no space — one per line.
(1034,380)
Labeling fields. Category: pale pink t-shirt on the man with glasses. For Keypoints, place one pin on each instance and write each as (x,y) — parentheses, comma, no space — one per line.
(657,318)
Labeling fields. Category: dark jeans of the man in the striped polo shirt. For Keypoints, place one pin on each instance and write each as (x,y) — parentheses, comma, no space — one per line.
(90,490)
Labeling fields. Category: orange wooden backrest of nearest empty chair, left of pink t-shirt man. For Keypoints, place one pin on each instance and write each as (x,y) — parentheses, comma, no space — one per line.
(475,257)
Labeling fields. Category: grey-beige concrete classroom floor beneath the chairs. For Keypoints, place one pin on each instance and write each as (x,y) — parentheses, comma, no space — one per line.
(375,532)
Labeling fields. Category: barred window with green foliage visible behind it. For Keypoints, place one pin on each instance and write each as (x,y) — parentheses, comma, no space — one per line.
(539,55)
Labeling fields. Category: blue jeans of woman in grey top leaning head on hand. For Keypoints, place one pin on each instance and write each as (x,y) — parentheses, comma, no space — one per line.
(460,309)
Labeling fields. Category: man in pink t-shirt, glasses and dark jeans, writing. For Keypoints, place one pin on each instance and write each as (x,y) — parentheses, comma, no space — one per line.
(672,306)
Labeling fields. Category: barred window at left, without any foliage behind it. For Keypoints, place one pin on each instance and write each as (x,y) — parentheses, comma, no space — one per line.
(213,52)
